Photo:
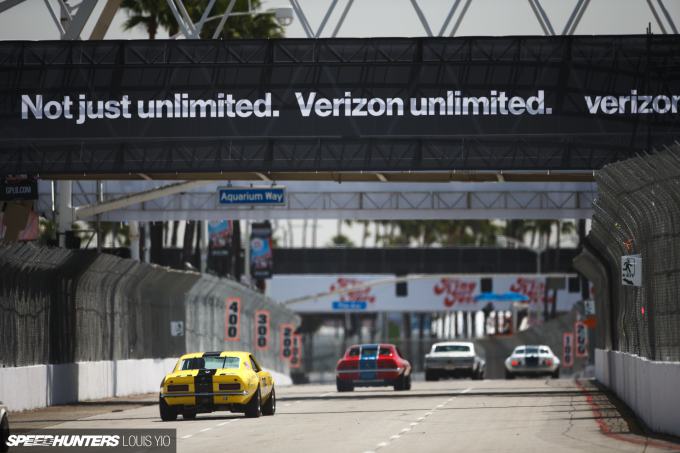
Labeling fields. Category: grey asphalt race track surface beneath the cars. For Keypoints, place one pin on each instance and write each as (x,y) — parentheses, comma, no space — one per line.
(524,415)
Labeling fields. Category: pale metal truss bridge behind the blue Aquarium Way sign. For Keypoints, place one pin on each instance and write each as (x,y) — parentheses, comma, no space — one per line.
(326,200)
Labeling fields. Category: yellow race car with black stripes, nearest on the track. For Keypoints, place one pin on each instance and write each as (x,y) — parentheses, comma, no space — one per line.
(204,382)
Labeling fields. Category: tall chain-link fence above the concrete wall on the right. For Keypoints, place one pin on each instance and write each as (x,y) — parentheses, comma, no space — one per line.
(638,212)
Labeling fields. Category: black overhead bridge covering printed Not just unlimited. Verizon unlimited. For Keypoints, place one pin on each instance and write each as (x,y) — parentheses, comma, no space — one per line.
(333,104)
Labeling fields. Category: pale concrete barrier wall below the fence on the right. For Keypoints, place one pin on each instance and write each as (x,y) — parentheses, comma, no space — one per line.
(648,387)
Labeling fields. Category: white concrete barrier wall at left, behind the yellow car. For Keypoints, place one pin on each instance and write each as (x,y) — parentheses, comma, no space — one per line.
(33,387)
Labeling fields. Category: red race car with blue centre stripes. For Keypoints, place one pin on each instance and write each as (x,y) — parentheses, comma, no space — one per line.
(373,365)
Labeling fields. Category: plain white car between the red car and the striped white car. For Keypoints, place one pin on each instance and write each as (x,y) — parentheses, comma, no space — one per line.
(455,359)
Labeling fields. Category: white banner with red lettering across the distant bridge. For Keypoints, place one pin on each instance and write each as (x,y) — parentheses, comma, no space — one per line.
(365,293)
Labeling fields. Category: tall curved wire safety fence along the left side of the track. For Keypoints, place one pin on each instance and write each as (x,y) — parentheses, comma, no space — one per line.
(65,306)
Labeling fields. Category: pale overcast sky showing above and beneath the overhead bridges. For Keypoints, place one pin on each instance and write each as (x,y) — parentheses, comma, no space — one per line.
(31,20)
